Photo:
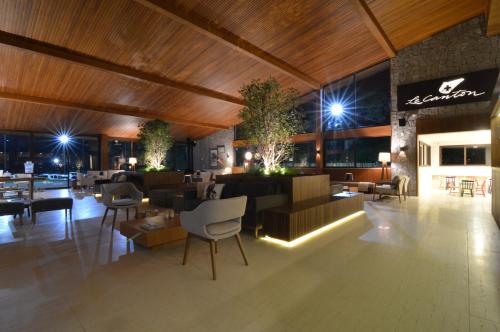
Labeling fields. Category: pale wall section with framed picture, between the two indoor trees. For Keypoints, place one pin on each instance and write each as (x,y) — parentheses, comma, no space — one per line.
(201,152)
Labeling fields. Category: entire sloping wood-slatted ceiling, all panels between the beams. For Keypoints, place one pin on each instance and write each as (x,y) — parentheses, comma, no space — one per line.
(325,39)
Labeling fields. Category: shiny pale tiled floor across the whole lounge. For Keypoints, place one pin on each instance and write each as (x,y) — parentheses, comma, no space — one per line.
(428,264)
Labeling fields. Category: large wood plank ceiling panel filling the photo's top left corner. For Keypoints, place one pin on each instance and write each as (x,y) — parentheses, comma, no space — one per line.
(127,33)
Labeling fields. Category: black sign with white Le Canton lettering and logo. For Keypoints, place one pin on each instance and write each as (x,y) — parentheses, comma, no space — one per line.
(466,88)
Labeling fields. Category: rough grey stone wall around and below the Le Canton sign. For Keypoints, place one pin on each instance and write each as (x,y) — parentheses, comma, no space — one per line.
(460,49)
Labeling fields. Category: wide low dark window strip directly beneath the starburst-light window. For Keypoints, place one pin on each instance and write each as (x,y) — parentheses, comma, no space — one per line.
(355,152)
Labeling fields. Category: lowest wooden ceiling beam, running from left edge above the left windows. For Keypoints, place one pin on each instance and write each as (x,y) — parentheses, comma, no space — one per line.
(128,111)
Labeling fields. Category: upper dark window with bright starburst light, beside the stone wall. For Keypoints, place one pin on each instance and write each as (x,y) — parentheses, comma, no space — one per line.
(359,100)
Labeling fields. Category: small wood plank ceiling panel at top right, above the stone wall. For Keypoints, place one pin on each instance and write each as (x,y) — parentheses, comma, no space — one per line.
(407,22)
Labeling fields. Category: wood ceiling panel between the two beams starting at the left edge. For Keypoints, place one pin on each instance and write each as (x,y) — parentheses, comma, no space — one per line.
(35,75)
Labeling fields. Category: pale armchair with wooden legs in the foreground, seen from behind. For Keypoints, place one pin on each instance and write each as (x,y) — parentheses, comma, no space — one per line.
(214,220)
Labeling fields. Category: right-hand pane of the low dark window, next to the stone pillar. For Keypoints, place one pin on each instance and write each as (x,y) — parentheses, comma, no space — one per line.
(368,148)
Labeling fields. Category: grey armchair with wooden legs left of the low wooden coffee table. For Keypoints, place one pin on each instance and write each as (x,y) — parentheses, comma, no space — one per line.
(122,195)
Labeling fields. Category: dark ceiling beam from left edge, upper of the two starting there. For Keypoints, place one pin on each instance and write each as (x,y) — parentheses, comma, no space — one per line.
(31,45)
